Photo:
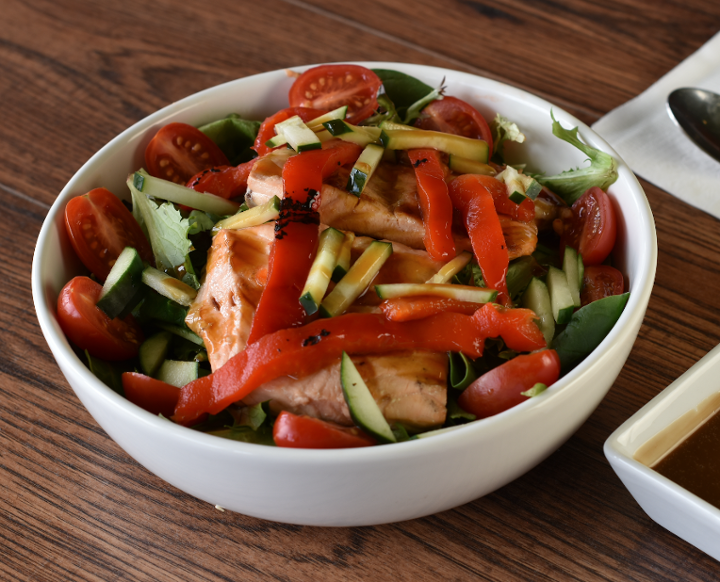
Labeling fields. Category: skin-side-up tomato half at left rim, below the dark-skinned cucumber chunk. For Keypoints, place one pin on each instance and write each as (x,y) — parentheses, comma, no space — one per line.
(87,326)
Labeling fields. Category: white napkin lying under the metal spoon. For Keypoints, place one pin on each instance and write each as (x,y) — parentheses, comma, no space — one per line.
(645,135)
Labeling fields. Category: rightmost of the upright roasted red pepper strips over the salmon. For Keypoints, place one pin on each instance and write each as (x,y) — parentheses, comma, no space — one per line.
(472,195)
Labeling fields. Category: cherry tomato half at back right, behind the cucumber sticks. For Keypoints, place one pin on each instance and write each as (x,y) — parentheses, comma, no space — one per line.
(453,115)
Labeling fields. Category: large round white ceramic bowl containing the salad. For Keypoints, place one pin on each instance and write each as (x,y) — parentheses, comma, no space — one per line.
(360,486)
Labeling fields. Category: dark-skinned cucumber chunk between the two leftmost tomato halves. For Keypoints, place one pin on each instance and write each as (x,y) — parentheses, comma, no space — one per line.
(122,284)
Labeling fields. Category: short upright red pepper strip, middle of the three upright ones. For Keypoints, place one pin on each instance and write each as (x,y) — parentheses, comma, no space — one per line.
(435,204)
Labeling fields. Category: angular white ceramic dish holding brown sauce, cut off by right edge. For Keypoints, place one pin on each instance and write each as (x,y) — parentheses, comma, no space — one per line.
(669,504)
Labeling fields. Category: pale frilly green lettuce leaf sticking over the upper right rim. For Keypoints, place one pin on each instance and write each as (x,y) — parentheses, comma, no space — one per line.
(572,184)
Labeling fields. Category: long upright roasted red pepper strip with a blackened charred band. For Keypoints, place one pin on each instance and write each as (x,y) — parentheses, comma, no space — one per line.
(296,235)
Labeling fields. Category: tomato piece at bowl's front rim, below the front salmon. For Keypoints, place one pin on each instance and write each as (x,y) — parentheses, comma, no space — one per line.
(306,432)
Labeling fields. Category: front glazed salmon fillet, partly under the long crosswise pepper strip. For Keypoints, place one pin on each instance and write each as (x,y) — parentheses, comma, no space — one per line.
(409,387)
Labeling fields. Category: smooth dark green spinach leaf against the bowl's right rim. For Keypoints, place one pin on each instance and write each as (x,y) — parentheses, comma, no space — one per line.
(587,328)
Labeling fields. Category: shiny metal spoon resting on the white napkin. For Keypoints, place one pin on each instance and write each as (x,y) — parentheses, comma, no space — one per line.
(697,111)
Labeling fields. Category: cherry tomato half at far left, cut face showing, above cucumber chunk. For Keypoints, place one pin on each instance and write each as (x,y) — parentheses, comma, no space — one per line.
(100,227)
